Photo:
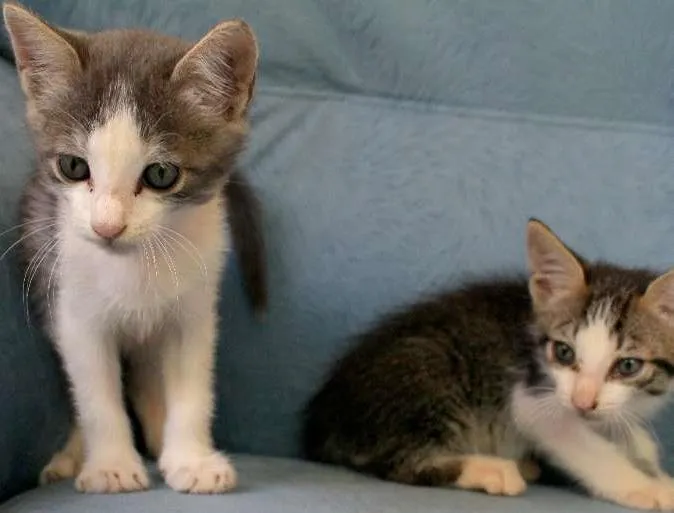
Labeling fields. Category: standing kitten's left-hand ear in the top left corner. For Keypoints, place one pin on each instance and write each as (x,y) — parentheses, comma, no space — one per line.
(44,58)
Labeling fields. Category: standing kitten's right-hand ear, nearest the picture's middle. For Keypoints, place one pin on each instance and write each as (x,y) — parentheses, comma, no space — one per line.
(218,73)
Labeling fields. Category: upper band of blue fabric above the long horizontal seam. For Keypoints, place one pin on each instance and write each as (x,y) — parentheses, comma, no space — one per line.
(611,59)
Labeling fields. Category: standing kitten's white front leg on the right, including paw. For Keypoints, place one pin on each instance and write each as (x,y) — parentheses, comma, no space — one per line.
(189,461)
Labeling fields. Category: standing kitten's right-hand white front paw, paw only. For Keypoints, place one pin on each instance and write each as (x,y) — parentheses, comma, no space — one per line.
(198,473)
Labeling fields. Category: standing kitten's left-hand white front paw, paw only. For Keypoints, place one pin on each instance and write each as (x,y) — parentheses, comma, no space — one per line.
(113,475)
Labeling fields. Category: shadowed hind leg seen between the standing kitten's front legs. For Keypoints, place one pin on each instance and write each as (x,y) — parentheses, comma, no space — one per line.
(146,391)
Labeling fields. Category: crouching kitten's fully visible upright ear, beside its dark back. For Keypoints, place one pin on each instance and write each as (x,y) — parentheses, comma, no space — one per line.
(556,273)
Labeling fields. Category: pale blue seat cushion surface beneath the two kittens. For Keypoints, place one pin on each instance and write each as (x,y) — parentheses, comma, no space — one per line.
(289,486)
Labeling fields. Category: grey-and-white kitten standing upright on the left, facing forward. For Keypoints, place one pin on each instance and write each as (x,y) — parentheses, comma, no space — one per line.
(126,230)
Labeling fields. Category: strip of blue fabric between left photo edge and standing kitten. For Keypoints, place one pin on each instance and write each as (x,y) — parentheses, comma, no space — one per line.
(32,400)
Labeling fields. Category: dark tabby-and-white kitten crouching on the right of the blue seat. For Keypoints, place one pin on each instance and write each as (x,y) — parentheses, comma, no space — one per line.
(464,388)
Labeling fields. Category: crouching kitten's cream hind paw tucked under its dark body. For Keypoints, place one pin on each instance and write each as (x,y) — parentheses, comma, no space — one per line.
(495,476)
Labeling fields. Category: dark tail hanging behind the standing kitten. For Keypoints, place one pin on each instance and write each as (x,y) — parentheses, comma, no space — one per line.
(245,221)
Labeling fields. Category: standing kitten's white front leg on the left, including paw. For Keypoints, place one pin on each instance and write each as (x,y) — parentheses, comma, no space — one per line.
(111,462)
